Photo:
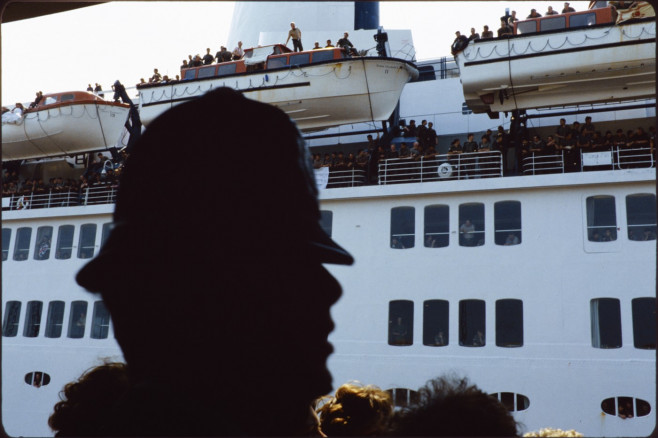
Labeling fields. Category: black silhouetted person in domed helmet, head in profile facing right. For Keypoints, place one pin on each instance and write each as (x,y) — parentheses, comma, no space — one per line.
(229,284)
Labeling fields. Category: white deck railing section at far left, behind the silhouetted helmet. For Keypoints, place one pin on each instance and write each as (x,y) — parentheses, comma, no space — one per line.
(103,194)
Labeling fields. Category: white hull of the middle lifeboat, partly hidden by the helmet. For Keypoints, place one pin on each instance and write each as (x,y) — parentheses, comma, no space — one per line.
(314,96)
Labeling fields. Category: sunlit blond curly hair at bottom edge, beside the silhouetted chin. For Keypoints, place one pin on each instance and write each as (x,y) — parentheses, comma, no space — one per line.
(355,410)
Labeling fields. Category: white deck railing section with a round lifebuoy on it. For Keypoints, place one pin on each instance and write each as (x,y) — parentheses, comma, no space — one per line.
(443,167)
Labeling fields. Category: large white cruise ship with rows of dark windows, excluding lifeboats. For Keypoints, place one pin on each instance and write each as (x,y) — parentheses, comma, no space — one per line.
(533,275)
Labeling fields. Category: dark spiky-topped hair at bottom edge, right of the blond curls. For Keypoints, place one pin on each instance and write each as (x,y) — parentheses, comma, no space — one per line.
(451,406)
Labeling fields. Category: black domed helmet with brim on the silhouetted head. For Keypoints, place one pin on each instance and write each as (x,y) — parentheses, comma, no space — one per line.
(220,176)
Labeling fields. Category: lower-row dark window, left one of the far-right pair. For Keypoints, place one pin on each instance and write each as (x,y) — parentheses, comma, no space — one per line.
(606,323)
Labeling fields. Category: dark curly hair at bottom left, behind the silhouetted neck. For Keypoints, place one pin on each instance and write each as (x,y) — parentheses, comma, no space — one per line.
(86,402)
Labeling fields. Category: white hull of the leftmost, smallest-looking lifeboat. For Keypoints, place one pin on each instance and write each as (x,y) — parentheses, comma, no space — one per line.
(63,130)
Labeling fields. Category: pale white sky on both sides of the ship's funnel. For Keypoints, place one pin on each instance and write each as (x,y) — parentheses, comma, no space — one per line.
(126,40)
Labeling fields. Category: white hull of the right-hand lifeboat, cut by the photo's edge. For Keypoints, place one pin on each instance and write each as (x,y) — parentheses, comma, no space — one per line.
(602,64)
